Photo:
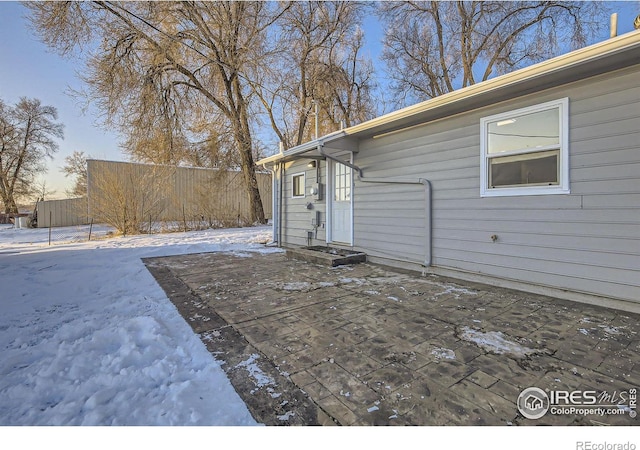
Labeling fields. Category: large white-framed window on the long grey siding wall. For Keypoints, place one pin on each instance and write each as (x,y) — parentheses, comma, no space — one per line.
(526,151)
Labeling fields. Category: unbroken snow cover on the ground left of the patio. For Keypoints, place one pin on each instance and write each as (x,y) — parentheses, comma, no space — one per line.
(87,337)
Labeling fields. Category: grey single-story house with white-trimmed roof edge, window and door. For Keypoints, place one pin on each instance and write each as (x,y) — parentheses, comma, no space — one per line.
(529,180)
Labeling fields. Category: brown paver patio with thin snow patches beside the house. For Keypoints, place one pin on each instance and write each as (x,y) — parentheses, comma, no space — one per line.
(305,344)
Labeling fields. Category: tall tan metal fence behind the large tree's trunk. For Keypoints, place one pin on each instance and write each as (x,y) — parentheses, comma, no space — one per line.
(169,193)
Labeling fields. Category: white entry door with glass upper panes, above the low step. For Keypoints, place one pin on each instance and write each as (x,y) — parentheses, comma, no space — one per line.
(341,220)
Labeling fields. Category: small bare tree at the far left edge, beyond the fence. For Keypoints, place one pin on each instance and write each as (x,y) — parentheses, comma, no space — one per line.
(27,138)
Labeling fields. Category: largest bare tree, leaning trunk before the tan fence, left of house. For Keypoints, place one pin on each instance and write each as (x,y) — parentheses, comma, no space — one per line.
(156,60)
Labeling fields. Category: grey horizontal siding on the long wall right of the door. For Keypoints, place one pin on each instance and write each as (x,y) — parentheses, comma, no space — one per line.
(587,241)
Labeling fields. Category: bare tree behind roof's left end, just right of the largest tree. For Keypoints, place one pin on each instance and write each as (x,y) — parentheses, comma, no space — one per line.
(316,67)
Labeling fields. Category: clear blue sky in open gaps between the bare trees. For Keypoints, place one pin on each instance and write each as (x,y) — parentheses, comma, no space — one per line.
(29,69)
